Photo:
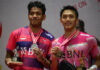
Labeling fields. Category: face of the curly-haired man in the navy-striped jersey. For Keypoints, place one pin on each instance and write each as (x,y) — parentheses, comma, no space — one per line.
(36,17)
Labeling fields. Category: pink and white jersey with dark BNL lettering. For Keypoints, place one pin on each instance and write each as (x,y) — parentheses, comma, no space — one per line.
(83,45)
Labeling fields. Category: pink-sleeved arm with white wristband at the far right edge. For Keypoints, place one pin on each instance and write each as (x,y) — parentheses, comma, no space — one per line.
(94,53)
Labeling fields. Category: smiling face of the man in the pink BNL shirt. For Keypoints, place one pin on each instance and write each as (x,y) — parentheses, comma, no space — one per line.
(68,19)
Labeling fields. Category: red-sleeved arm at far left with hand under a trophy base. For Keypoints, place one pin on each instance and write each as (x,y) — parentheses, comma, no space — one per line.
(9,54)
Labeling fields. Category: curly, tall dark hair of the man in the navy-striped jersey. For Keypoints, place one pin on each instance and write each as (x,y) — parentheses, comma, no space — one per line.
(37,4)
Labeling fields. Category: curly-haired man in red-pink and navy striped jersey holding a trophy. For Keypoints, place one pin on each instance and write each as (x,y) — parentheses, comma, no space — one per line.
(28,46)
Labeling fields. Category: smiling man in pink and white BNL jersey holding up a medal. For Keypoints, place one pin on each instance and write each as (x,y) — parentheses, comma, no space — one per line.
(77,46)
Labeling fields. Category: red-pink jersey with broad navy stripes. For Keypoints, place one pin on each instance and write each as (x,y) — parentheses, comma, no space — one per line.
(21,40)
